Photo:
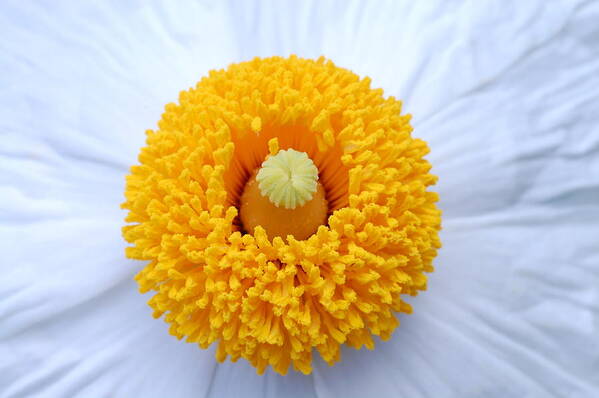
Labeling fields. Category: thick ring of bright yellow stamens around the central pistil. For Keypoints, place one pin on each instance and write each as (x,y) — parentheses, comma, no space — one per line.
(273,302)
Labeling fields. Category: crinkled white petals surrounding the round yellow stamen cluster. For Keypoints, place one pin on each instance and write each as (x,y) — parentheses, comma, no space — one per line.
(504,92)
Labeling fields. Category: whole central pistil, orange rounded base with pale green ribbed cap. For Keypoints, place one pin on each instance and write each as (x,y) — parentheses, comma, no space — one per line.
(284,197)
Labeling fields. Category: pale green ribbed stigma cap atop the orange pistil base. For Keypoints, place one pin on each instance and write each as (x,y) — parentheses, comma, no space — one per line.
(288,178)
